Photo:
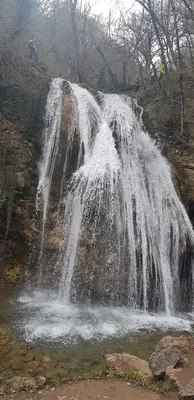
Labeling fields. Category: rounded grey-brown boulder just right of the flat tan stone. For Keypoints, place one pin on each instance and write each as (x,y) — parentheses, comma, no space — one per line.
(160,360)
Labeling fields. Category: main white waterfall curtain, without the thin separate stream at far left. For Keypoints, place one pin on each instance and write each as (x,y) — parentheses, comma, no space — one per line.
(123,192)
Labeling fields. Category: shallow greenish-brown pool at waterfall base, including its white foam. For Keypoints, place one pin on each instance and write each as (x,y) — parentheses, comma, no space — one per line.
(81,335)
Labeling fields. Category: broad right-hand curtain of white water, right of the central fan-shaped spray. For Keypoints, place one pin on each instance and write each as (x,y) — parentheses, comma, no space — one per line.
(154,225)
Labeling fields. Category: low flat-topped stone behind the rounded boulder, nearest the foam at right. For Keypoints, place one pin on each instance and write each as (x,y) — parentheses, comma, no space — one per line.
(181,343)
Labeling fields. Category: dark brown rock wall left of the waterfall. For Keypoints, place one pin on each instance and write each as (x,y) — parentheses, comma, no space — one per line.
(21,122)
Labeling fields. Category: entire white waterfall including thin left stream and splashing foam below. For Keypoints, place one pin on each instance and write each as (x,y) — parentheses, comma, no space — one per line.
(125,231)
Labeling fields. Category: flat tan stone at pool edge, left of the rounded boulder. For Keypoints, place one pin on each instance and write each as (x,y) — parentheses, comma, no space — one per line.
(128,363)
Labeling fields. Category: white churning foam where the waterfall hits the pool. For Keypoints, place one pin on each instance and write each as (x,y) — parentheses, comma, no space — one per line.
(51,320)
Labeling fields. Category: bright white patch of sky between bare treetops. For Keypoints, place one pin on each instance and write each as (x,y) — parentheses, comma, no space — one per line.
(103,6)
